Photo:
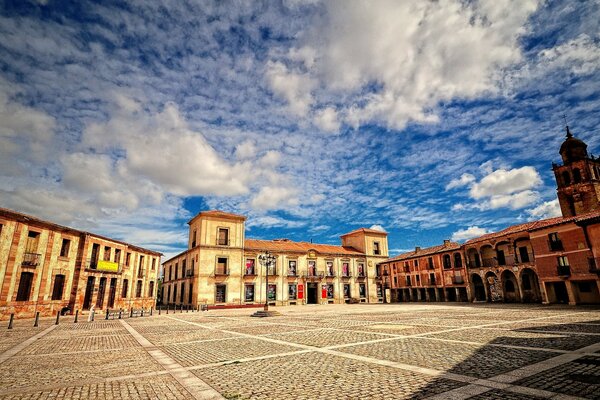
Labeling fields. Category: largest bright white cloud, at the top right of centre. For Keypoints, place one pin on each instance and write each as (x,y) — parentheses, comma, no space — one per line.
(415,54)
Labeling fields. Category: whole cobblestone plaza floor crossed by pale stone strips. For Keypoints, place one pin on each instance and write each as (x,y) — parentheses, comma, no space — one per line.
(396,351)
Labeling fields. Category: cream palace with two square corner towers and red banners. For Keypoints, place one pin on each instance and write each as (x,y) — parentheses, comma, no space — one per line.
(221,267)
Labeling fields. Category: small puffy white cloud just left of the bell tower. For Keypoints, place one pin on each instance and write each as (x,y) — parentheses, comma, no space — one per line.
(504,182)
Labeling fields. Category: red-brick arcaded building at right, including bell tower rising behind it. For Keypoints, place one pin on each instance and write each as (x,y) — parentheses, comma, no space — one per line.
(555,260)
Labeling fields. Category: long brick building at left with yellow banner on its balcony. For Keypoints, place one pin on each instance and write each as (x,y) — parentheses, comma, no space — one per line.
(48,268)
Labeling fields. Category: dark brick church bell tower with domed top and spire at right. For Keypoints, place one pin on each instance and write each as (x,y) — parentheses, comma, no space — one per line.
(578,178)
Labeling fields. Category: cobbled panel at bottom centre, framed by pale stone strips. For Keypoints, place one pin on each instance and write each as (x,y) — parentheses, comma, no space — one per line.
(320,376)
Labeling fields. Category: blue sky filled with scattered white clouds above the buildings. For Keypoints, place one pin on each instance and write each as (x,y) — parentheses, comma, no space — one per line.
(431,120)
